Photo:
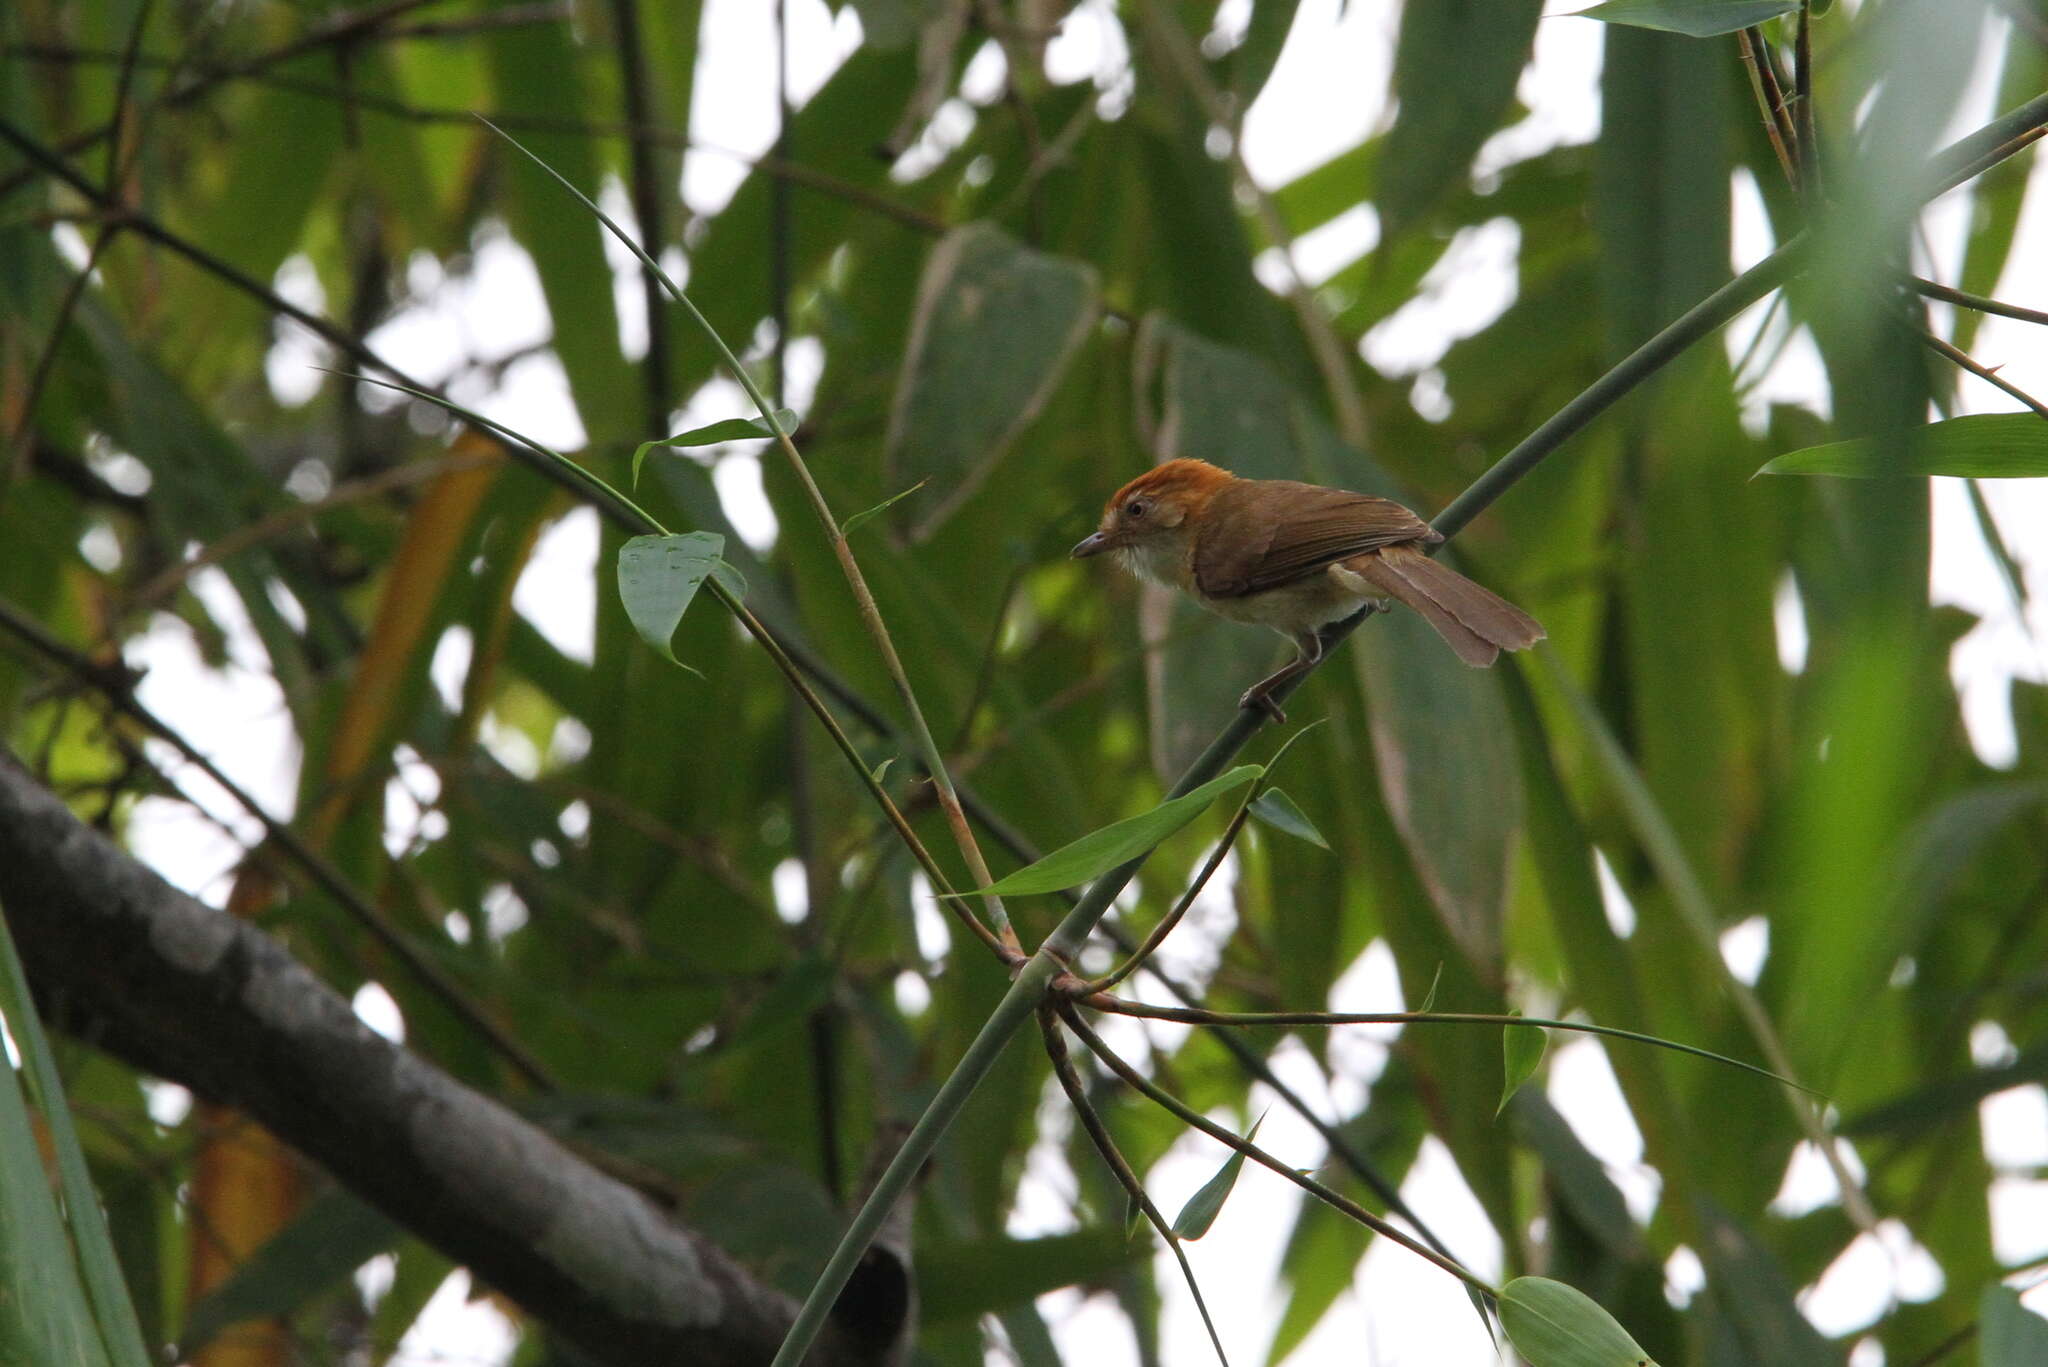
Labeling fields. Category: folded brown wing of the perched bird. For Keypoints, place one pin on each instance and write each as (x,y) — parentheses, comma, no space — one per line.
(1263,534)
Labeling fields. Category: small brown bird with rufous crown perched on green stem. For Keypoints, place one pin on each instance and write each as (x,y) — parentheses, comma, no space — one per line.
(1295,558)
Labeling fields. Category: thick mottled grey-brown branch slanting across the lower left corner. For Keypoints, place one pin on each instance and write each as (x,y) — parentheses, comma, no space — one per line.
(185,993)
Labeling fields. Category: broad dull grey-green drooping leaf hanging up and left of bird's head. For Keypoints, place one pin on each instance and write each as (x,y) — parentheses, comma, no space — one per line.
(992,335)
